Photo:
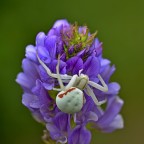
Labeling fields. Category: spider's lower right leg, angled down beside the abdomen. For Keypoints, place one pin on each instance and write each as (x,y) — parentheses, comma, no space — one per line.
(90,92)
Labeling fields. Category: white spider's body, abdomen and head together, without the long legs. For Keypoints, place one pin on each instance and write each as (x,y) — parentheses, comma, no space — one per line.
(71,100)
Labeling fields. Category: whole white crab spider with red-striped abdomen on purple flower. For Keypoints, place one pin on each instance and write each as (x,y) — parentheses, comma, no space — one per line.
(70,99)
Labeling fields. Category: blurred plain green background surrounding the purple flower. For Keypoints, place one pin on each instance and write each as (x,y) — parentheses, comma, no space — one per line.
(121,29)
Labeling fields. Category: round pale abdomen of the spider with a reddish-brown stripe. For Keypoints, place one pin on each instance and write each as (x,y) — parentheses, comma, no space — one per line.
(70,101)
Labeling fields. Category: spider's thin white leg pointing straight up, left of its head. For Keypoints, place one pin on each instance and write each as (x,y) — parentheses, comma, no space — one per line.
(58,75)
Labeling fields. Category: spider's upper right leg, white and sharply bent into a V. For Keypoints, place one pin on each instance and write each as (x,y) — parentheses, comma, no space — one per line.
(103,88)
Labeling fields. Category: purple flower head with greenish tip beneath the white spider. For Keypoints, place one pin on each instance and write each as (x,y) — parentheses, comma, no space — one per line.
(80,53)
